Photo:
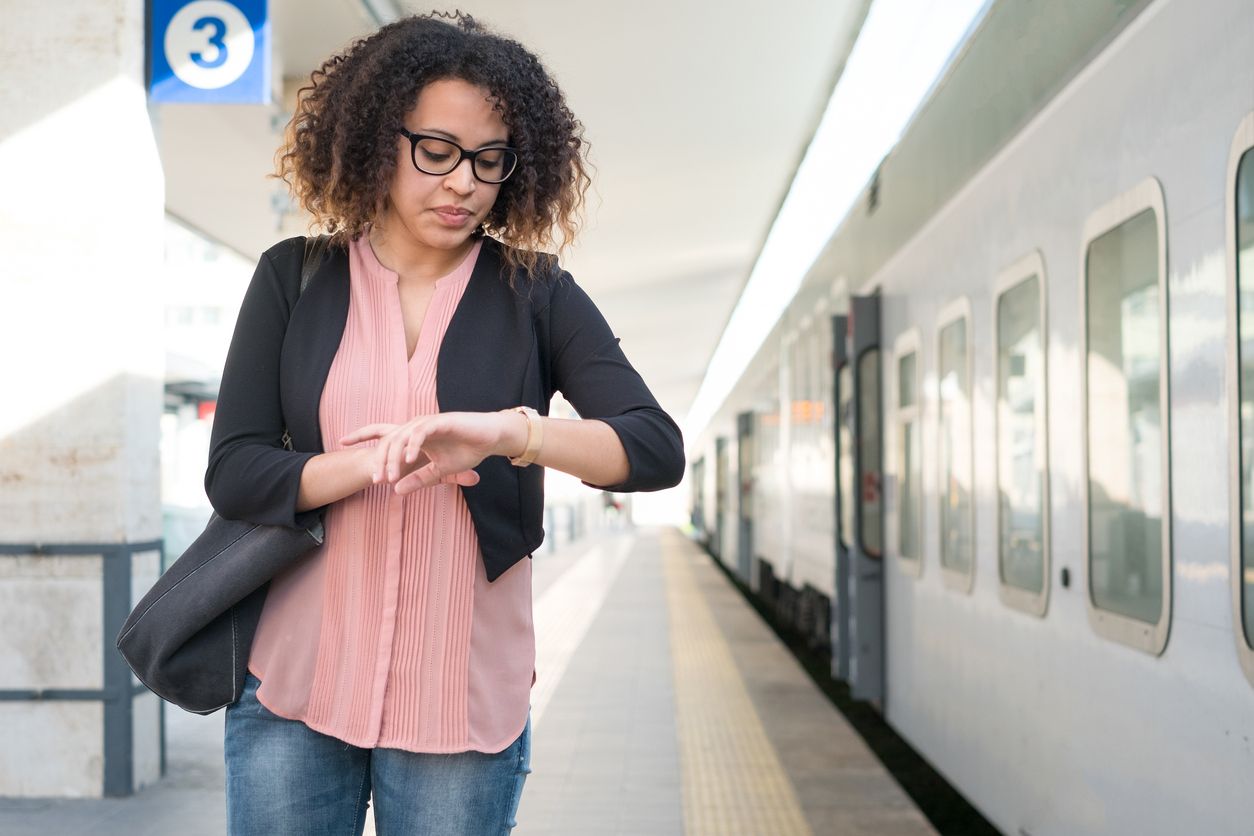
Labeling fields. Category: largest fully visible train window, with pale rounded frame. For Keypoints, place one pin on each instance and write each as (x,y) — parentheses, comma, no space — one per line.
(1127,538)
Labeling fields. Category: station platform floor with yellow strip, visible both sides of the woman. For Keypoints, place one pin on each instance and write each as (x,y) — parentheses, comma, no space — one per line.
(663,705)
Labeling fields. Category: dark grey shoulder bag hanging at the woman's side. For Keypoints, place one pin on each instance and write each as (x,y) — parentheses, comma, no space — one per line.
(189,639)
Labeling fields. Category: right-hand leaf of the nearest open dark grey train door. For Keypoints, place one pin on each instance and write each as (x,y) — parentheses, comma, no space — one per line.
(861,497)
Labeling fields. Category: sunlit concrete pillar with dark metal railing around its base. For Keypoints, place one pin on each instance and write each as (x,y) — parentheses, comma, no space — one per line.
(82,211)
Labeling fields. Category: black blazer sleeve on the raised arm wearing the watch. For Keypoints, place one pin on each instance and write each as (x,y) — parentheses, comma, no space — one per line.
(591,372)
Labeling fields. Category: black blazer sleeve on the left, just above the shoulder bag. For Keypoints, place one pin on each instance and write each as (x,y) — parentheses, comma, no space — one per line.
(251,477)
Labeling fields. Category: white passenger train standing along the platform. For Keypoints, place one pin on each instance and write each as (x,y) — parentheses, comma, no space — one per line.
(999,453)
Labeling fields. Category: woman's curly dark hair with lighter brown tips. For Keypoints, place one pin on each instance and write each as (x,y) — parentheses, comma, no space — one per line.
(339,154)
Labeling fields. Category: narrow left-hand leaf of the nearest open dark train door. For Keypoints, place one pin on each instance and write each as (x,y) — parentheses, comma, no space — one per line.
(845,504)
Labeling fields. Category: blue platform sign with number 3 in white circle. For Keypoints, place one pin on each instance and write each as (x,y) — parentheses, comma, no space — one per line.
(210,52)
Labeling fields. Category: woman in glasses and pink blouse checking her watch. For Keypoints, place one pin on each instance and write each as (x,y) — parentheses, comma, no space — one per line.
(413,377)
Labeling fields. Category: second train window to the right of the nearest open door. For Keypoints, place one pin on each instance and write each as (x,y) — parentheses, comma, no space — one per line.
(954,442)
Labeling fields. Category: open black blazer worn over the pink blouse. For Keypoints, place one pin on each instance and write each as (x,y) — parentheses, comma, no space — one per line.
(505,348)
